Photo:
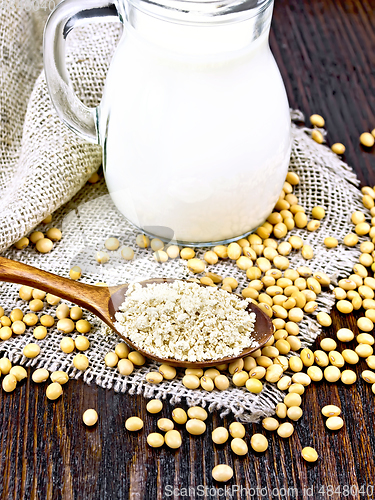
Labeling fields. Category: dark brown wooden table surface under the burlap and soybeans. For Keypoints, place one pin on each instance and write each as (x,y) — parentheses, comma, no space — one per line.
(326,53)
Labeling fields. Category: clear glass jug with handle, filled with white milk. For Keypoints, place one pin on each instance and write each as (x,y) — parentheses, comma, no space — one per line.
(194,120)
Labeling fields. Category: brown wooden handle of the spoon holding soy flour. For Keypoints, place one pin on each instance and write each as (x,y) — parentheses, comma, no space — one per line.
(90,297)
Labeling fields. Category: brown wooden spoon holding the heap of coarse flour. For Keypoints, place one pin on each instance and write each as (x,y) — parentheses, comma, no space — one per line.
(104,302)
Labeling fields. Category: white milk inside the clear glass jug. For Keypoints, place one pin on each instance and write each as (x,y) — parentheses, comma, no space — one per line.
(200,144)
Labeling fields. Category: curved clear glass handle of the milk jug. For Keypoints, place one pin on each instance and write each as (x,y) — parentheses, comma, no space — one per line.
(64,18)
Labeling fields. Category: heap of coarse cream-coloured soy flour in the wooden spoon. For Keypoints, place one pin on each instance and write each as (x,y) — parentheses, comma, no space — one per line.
(185,321)
